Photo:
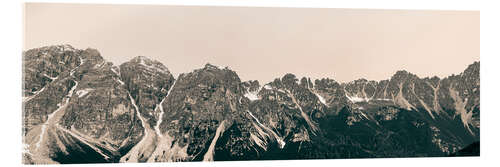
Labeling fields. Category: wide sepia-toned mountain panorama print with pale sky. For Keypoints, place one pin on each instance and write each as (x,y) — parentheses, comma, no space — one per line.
(115,83)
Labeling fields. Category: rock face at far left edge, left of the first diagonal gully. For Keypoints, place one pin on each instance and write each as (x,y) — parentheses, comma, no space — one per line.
(44,85)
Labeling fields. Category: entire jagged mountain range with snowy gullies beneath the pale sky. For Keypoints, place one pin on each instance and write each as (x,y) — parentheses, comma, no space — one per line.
(78,108)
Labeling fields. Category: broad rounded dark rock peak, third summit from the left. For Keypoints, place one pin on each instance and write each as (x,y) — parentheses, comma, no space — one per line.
(200,103)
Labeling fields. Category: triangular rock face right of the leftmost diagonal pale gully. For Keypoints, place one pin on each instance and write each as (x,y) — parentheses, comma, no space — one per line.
(100,107)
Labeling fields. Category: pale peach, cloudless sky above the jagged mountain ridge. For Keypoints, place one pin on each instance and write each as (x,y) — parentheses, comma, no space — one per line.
(266,43)
